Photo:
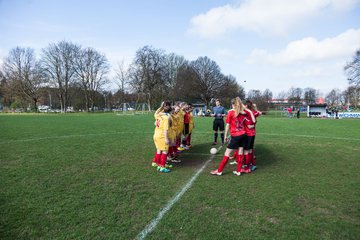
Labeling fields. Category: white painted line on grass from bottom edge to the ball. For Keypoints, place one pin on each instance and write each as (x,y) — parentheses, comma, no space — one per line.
(152,225)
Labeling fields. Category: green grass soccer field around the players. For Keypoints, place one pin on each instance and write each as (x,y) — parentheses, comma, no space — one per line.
(89,176)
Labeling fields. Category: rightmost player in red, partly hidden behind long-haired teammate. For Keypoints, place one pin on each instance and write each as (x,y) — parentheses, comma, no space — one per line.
(250,124)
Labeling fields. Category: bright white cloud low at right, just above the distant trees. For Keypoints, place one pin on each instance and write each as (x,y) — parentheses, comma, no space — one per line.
(310,49)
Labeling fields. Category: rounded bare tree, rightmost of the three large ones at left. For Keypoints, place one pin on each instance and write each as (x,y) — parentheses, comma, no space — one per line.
(91,69)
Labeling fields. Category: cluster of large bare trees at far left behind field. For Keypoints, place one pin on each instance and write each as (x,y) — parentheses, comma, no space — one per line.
(62,68)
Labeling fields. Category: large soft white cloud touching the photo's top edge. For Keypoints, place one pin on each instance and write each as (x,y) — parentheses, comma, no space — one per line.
(274,17)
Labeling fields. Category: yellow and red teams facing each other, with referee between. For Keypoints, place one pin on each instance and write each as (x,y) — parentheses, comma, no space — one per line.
(173,123)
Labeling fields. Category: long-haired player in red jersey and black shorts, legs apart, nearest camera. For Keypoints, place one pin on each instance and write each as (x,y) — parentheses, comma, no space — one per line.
(235,123)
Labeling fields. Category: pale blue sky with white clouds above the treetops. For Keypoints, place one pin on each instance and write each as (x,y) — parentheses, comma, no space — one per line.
(264,44)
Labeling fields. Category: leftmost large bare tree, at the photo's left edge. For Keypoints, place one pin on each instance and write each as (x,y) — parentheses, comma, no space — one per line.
(23,72)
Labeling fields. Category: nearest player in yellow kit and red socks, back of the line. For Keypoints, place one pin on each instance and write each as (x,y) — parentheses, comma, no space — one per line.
(163,122)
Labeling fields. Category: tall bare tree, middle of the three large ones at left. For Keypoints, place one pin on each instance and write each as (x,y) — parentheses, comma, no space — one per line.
(58,65)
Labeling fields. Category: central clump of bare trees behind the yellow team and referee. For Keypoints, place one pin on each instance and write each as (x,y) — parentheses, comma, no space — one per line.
(156,75)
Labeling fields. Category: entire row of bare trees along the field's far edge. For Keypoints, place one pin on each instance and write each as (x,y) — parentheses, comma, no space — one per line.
(67,74)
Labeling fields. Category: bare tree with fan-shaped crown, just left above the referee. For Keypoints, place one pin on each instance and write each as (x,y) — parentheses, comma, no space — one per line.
(209,77)
